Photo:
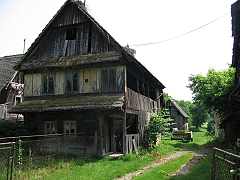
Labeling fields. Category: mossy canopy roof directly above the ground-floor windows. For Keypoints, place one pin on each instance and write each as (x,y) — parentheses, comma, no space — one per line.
(76,103)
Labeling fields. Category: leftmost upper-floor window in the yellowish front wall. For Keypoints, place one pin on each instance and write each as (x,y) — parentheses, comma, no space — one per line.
(46,90)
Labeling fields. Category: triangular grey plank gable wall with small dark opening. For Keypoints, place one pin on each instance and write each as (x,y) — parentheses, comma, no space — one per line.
(53,44)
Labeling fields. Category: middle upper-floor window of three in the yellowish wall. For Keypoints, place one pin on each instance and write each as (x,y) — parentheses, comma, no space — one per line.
(72,81)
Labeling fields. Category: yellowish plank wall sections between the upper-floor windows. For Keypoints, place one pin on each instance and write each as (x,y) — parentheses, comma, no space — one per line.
(89,81)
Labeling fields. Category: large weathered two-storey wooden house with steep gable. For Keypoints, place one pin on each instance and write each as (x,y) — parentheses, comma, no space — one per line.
(78,78)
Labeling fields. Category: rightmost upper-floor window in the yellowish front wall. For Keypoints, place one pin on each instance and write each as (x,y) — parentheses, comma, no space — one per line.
(108,79)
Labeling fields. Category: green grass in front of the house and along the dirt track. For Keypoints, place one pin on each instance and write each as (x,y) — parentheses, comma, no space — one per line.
(88,168)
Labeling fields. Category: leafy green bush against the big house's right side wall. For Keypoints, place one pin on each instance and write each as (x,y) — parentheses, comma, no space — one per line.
(159,123)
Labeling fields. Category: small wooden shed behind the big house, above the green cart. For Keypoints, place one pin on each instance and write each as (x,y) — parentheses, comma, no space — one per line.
(179,116)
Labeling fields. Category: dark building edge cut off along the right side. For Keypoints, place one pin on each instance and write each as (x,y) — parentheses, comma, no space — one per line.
(231,125)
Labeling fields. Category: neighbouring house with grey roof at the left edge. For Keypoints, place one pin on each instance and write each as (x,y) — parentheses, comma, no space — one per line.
(11,87)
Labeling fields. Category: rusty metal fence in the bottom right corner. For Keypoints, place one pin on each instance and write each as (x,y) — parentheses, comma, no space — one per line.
(223,163)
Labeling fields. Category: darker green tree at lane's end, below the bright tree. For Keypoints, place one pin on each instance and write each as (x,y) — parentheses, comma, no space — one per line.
(199,115)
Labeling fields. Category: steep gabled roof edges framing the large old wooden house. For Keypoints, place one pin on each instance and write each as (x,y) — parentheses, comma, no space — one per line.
(81,7)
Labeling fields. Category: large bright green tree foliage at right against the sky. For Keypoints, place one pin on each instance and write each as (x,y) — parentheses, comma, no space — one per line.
(212,91)
